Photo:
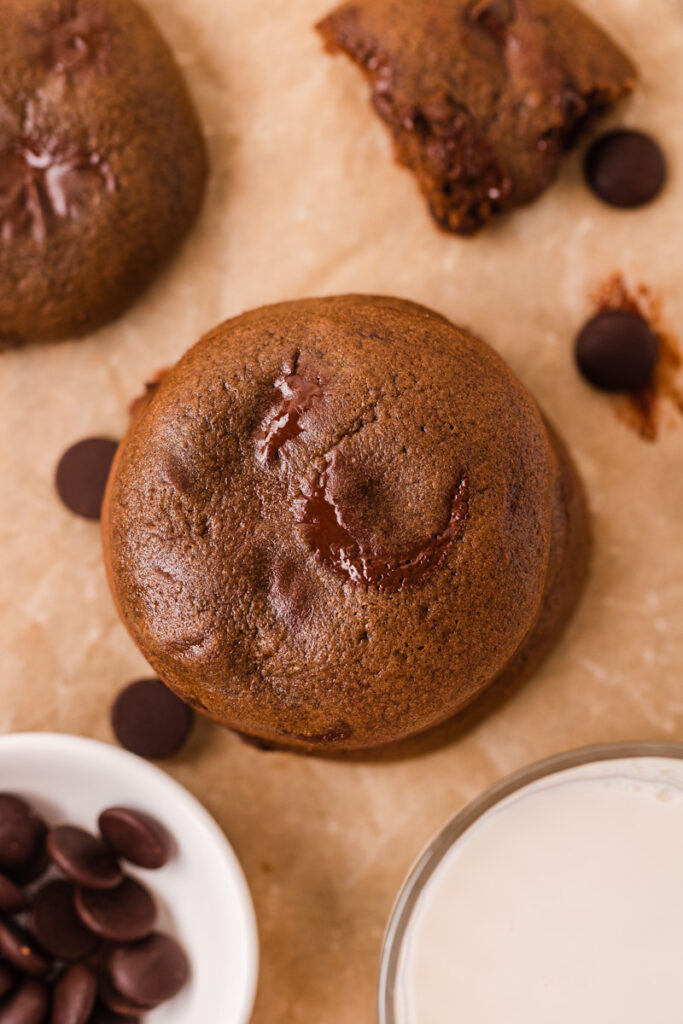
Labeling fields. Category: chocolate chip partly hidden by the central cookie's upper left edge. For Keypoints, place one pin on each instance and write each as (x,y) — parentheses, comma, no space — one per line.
(82,475)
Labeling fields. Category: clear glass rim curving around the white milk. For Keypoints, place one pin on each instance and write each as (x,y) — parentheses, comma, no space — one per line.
(433,857)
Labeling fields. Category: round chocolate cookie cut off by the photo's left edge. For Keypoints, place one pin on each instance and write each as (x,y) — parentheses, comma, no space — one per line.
(103,164)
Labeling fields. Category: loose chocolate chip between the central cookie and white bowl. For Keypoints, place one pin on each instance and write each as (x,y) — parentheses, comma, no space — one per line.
(151,721)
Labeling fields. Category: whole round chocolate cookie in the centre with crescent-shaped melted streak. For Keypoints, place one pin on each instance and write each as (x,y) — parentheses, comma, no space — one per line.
(336,522)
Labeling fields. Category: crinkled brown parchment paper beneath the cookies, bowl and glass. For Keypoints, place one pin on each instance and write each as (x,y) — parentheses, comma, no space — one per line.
(306,200)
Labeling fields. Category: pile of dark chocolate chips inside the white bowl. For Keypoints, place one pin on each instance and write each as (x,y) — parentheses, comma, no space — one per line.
(79,946)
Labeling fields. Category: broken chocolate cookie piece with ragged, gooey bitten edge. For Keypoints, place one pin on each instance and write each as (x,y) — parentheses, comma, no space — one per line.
(483,97)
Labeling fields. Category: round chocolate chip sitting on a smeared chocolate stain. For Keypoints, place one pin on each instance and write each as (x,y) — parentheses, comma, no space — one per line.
(618,352)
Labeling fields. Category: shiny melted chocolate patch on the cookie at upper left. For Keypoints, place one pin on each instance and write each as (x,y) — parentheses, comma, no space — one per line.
(41,183)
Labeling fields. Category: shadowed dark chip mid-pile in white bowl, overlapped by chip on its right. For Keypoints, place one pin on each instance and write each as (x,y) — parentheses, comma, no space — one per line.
(57,925)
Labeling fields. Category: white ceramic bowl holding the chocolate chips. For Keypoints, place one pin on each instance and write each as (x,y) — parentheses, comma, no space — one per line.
(202,893)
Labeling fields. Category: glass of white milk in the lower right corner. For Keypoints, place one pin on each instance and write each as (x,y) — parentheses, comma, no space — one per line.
(557,899)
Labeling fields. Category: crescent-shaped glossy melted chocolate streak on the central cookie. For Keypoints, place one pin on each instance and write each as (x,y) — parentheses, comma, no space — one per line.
(336,546)
